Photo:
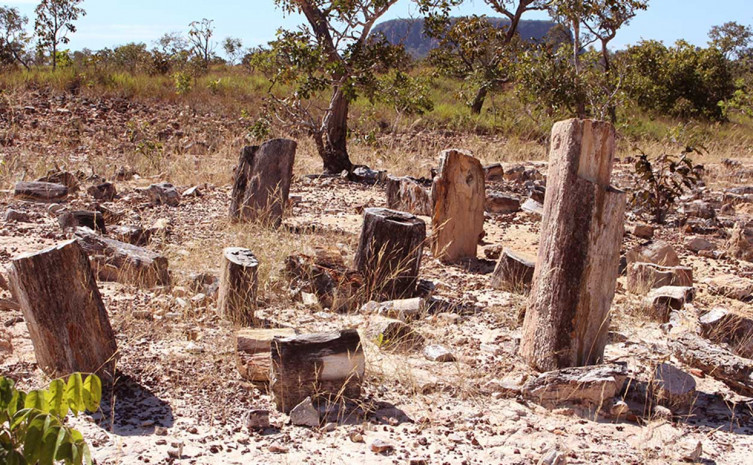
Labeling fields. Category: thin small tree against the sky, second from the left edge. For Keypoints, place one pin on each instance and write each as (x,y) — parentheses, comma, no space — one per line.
(54,22)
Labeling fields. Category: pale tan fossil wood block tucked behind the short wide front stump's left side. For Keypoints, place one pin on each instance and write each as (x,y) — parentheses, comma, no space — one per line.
(253,351)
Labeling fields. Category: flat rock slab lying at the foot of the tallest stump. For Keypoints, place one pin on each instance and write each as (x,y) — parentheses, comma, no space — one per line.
(589,386)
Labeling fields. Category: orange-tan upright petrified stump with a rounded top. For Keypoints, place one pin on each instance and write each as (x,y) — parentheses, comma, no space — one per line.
(458,197)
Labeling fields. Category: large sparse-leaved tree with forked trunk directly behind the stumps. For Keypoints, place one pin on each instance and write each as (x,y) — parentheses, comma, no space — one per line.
(333,53)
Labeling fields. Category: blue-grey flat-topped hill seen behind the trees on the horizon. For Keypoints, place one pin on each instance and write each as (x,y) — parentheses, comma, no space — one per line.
(410,33)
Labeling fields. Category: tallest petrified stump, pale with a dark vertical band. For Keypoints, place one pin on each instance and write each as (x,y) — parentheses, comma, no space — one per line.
(576,273)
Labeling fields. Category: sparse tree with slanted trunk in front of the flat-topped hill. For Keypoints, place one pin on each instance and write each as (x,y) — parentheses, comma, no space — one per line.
(479,52)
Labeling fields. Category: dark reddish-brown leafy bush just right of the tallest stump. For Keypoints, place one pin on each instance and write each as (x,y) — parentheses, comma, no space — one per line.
(662,181)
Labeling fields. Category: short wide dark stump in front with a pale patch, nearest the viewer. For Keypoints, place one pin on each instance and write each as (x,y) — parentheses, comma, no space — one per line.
(326,366)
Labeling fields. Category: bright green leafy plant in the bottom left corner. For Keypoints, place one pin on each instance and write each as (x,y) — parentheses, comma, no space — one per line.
(32,429)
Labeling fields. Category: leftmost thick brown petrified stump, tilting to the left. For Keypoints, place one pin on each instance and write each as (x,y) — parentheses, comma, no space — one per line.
(63,310)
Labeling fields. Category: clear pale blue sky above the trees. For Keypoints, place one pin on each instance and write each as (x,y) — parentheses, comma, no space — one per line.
(113,22)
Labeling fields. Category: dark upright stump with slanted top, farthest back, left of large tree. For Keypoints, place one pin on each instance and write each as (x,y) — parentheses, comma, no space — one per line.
(262,181)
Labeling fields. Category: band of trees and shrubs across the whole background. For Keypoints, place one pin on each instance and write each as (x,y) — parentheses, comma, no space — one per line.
(336,58)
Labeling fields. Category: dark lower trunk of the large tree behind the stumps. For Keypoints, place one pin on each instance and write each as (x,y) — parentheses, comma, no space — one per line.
(335,150)
